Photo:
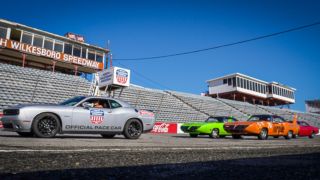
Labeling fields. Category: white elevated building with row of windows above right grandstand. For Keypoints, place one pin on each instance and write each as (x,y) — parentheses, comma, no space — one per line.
(245,88)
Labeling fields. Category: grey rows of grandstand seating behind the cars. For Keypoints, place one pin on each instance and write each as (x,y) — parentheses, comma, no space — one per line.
(27,85)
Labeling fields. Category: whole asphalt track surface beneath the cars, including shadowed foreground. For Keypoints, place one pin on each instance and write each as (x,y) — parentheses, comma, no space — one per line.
(156,156)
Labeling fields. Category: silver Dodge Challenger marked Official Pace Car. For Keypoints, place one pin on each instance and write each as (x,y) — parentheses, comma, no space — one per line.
(80,114)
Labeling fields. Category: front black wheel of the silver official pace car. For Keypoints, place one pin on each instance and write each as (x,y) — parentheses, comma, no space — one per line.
(46,125)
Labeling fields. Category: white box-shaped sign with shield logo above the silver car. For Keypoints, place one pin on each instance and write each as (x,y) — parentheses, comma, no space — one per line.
(114,76)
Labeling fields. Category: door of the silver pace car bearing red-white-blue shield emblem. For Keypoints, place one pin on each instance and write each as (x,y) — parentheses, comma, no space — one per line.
(92,119)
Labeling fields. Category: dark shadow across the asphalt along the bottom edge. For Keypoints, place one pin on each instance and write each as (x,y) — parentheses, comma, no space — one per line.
(304,166)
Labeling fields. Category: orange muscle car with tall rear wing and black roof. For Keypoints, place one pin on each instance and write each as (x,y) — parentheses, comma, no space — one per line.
(263,126)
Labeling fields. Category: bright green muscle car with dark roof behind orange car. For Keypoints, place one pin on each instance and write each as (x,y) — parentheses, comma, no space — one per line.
(213,127)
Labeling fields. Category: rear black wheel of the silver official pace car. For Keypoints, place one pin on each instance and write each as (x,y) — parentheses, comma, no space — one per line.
(133,129)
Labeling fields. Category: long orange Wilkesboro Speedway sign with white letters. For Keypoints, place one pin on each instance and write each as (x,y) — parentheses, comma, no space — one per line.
(38,51)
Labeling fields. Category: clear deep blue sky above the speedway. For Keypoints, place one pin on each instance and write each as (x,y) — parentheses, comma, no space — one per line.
(138,29)
